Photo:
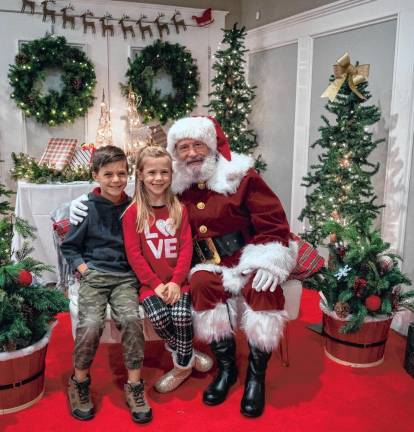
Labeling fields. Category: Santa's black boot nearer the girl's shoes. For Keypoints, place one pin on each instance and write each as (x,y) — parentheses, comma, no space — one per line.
(225,352)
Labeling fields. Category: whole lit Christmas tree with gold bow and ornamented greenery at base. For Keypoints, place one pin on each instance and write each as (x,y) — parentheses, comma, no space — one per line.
(362,278)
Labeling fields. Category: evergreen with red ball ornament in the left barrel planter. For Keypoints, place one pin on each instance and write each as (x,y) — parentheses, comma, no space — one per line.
(26,306)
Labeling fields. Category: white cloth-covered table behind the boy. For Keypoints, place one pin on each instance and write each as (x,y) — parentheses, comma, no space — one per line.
(35,203)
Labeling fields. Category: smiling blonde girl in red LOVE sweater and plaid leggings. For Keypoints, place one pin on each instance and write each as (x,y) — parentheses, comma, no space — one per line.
(158,245)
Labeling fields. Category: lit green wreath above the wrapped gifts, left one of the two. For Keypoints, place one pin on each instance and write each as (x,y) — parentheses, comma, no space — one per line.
(78,78)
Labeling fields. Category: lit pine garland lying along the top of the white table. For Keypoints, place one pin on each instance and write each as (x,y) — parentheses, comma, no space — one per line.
(28,169)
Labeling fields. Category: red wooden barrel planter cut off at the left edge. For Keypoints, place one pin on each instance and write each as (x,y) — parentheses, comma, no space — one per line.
(22,376)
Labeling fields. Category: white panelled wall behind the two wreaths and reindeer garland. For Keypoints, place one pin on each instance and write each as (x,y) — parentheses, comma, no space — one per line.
(109,56)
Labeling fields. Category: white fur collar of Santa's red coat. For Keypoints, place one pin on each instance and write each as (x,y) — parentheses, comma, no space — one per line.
(226,177)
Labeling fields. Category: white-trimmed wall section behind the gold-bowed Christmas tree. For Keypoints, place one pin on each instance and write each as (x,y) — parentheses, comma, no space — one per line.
(379,32)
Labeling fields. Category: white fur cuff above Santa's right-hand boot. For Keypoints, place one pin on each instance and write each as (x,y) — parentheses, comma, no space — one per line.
(263,329)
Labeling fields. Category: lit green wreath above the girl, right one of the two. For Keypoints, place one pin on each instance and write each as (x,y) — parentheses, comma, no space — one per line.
(176,61)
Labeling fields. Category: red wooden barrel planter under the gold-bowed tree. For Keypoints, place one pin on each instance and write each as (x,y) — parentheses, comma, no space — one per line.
(364,348)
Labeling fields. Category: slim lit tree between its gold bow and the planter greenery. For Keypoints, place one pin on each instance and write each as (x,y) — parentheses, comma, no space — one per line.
(339,184)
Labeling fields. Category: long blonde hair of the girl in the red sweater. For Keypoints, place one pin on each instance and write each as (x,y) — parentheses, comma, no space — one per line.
(145,214)
